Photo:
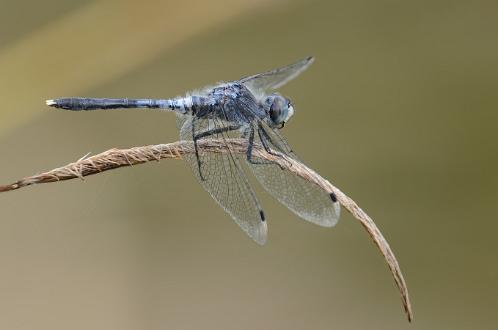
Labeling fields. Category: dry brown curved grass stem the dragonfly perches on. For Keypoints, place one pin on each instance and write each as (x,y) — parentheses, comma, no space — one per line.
(115,158)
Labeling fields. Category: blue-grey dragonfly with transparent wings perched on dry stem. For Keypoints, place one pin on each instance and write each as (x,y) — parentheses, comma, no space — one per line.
(250,109)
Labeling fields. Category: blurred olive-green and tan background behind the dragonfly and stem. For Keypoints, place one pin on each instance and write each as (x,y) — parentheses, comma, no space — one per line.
(399,111)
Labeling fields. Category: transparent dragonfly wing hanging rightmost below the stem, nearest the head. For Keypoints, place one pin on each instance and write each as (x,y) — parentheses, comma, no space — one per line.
(302,197)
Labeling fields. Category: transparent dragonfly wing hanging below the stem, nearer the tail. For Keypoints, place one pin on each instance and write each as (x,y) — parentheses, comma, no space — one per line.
(223,177)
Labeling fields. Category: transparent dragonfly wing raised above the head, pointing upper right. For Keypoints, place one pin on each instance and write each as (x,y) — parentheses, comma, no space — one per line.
(276,78)
